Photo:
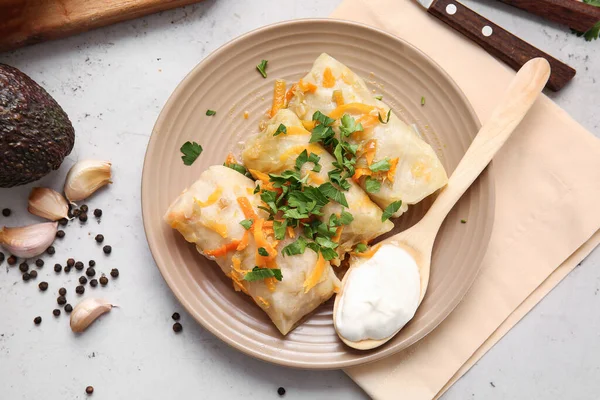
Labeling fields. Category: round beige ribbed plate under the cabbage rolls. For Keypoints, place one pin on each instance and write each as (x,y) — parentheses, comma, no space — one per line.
(228,82)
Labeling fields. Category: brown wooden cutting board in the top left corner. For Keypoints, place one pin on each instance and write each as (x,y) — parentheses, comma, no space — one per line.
(24,22)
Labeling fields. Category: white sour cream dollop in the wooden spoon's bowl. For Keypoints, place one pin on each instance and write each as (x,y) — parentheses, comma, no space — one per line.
(380,296)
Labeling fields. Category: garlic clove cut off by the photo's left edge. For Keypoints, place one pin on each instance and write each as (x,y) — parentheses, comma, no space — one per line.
(28,241)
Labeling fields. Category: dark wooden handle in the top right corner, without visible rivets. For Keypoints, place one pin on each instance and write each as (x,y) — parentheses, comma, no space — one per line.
(574,14)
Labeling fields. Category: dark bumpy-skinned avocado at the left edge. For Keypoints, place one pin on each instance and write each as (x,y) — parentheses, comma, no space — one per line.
(35,133)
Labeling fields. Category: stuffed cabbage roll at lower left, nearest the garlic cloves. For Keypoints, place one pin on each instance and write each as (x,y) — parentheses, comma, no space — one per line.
(219,214)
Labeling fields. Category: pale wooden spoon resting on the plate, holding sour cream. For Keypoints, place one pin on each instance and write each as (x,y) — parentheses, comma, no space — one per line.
(419,239)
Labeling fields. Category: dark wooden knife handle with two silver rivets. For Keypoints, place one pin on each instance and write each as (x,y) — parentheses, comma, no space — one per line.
(497,41)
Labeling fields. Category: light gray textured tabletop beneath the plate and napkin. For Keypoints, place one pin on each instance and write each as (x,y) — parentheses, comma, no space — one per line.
(113,83)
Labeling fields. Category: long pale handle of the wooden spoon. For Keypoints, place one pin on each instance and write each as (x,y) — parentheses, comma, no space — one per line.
(517,100)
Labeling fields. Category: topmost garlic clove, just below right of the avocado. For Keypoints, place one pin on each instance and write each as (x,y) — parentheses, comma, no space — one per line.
(85,177)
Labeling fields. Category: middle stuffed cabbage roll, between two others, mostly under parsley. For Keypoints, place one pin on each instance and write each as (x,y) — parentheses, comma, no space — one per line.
(270,152)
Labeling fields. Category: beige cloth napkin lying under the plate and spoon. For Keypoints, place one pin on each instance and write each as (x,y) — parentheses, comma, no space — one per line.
(547,218)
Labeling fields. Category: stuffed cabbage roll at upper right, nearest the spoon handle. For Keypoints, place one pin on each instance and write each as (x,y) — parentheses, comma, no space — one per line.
(394,165)
